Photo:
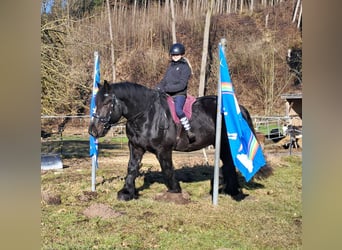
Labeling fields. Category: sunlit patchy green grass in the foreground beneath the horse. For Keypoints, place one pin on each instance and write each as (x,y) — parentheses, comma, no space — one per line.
(270,219)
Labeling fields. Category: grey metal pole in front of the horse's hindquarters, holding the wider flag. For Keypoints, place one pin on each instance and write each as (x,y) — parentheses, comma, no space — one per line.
(218,133)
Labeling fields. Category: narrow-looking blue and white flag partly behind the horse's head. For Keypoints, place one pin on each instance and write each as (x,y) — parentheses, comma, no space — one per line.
(92,140)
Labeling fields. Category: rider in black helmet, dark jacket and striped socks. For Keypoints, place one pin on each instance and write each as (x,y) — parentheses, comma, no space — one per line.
(175,83)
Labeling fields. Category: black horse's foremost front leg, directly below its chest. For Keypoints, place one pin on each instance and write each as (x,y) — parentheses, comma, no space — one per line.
(128,192)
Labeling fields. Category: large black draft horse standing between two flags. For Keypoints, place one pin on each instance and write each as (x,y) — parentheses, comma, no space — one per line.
(150,127)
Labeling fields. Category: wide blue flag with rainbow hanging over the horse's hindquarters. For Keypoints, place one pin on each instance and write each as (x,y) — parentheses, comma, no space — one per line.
(246,151)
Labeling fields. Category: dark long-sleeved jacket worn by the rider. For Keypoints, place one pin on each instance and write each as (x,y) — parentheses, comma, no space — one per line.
(175,81)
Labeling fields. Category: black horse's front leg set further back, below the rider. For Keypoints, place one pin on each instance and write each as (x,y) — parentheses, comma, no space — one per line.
(165,160)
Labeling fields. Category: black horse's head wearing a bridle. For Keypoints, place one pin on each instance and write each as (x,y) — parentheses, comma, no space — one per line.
(108,111)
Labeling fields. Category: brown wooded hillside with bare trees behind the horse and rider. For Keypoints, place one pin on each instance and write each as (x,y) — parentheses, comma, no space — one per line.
(258,33)
